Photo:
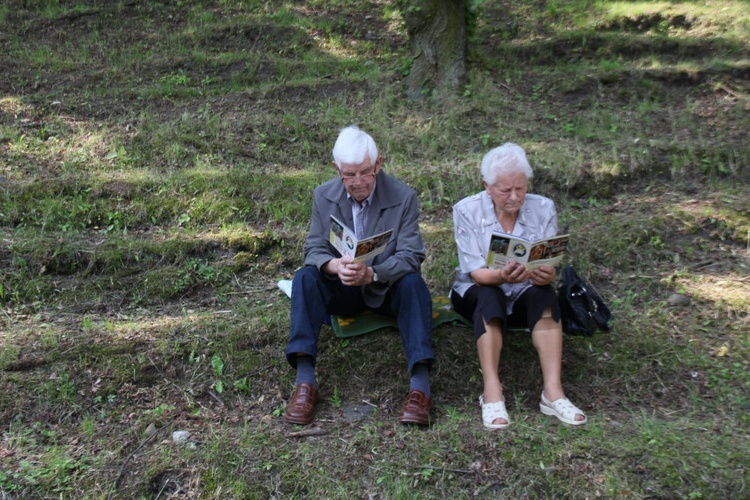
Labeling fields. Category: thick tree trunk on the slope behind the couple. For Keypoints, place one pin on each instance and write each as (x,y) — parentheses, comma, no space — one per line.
(437,35)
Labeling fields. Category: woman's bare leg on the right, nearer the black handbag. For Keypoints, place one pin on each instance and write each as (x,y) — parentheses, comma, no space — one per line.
(547,339)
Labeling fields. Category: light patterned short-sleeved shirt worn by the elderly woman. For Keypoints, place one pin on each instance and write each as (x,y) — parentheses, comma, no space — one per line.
(474,221)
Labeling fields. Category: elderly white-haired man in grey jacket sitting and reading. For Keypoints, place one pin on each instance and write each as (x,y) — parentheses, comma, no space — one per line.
(370,202)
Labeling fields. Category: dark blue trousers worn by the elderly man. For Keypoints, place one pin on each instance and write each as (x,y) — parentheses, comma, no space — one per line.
(315,295)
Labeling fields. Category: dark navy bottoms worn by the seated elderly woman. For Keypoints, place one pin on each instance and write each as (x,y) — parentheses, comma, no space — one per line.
(489,302)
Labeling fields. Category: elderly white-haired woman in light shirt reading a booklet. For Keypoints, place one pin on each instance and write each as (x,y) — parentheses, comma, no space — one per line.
(494,298)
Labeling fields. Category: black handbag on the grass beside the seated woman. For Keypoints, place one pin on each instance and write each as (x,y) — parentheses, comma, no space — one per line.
(582,309)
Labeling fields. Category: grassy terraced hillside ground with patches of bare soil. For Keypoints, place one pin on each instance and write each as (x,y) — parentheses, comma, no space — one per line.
(156,165)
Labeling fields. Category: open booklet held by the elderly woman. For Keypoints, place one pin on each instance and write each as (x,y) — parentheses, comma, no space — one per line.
(505,248)
